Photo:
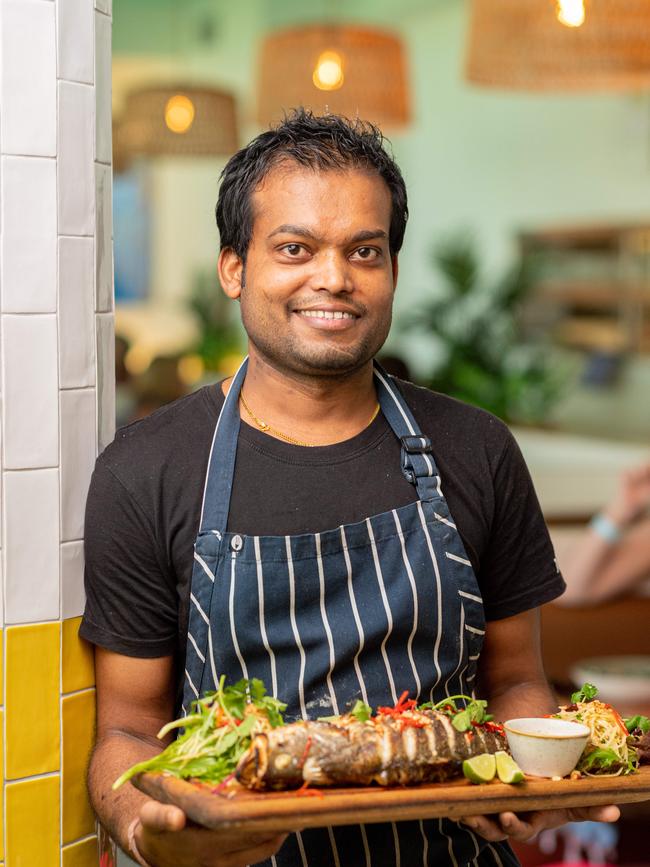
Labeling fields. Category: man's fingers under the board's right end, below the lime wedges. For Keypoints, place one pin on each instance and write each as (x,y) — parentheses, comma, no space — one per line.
(527,825)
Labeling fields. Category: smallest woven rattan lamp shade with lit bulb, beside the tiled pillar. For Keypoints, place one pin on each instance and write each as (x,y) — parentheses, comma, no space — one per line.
(204,121)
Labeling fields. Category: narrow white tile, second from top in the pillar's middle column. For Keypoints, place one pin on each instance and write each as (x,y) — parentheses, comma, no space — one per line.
(76,168)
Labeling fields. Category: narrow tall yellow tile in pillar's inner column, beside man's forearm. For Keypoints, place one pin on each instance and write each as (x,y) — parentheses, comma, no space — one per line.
(78,716)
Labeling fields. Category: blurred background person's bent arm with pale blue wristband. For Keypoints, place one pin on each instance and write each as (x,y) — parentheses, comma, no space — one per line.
(613,555)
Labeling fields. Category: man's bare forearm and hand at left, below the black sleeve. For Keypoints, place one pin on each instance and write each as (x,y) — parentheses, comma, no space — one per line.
(135,698)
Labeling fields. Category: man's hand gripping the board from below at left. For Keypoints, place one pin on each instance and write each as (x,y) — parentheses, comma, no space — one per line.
(164,840)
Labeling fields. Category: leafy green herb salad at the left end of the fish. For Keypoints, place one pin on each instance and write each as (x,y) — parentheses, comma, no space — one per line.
(216,733)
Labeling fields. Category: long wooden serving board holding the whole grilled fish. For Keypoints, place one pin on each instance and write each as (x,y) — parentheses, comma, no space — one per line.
(290,811)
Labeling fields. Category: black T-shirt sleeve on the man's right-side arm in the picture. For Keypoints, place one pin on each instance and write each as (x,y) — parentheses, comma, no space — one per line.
(518,569)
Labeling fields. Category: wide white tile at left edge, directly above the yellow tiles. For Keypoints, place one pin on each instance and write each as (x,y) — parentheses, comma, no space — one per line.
(31,555)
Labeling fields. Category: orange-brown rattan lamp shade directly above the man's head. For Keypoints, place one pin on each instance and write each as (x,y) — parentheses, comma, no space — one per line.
(373,63)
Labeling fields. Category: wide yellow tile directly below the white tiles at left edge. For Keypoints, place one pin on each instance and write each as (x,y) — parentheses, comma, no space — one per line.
(32,709)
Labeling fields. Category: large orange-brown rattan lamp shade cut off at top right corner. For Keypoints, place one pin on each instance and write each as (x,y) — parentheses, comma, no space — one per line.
(521,45)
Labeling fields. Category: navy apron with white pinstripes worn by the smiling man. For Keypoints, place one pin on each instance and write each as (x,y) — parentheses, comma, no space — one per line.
(365,610)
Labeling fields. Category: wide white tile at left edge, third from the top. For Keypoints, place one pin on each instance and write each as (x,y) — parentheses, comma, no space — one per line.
(30,392)
